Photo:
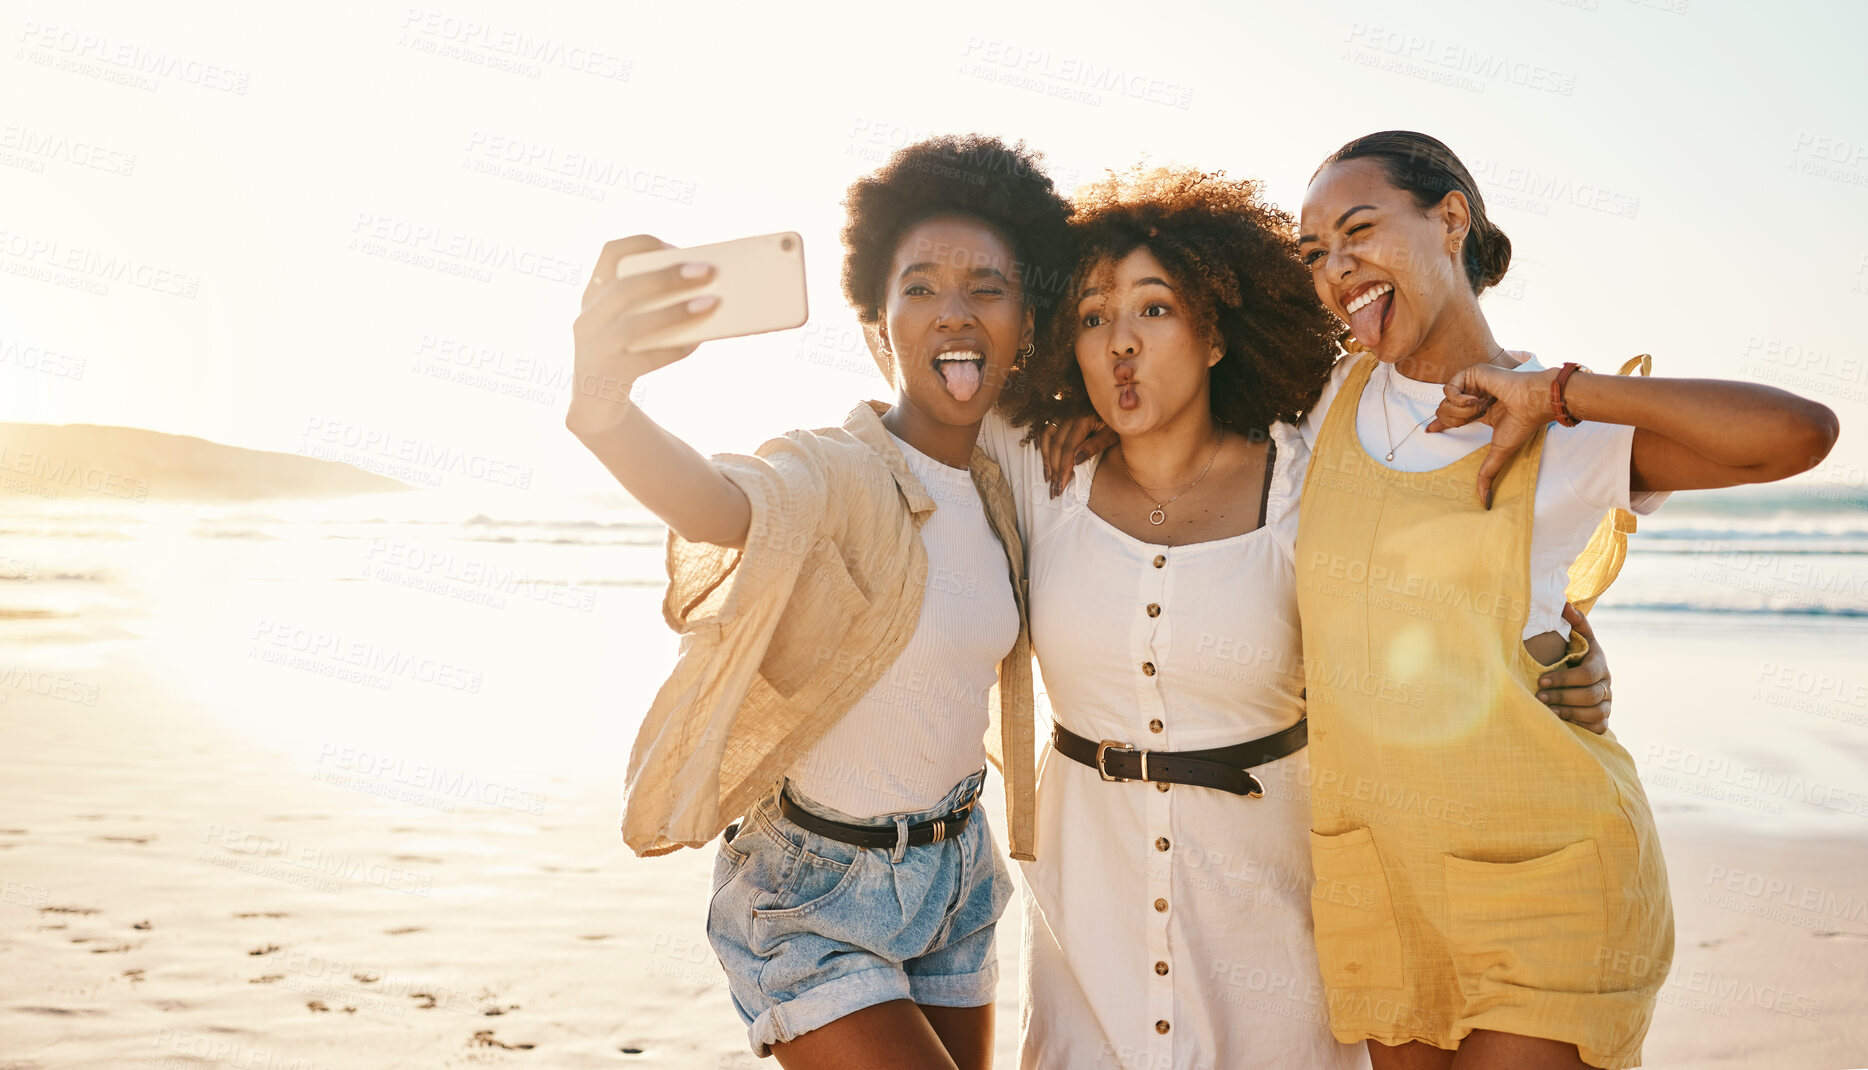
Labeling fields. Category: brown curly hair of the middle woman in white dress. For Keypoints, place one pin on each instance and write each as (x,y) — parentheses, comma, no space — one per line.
(1234,260)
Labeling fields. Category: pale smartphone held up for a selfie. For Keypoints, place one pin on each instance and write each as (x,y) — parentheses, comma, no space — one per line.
(759,281)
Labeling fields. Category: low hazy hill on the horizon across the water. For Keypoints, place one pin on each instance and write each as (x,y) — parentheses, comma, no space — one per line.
(132,464)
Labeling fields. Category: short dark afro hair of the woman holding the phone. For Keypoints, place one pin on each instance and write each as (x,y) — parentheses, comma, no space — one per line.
(976,176)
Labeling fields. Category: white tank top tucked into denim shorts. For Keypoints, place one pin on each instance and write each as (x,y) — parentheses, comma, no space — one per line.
(922,729)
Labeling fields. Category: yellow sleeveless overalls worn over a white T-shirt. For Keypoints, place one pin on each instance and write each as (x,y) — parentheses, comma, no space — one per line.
(1480,864)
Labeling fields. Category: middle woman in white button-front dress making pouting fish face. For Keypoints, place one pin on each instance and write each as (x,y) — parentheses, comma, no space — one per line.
(1168,918)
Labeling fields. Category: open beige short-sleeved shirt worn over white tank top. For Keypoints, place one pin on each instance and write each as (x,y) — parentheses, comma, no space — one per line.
(782,638)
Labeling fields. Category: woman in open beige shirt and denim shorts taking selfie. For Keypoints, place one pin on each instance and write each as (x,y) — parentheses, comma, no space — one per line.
(855,645)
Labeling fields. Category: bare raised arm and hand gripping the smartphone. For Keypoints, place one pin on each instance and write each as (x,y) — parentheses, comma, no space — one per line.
(670,477)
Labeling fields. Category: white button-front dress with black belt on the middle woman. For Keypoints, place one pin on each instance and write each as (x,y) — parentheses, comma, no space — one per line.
(1168,929)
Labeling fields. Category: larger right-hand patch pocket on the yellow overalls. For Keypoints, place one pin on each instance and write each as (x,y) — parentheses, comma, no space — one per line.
(1540,923)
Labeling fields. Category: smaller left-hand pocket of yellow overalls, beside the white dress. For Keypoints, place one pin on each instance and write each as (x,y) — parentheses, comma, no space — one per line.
(1359,942)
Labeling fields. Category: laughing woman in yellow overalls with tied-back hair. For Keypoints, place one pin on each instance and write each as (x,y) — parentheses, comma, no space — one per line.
(1490,880)
